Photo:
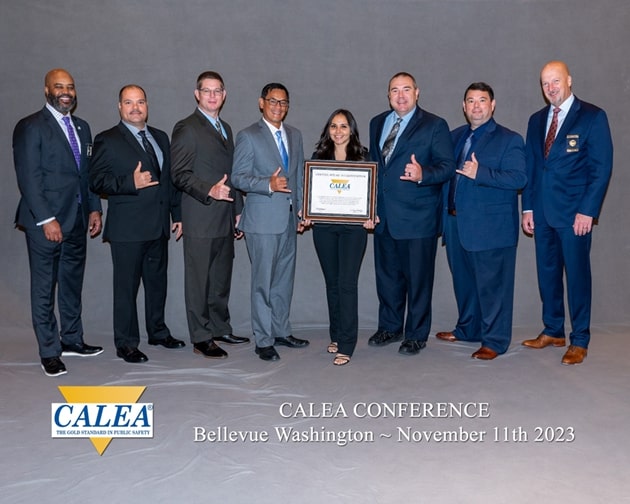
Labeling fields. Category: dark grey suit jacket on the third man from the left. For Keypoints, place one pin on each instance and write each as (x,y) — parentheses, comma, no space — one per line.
(199,159)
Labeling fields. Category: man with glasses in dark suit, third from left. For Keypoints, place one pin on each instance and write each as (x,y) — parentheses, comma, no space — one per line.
(202,149)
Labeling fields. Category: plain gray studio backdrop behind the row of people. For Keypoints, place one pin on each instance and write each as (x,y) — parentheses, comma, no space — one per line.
(329,54)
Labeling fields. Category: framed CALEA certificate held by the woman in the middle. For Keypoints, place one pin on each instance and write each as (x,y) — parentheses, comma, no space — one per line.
(339,191)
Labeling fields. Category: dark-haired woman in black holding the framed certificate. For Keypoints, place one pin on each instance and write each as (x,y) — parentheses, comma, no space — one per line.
(340,247)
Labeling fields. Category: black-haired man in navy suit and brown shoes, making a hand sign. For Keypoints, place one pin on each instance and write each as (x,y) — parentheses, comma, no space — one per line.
(481,224)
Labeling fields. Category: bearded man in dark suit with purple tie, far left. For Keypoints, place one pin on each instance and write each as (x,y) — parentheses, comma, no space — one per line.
(51,150)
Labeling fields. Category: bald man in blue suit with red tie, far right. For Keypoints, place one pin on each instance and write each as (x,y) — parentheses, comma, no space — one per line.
(569,156)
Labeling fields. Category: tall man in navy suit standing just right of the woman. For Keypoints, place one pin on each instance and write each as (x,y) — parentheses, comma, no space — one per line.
(414,152)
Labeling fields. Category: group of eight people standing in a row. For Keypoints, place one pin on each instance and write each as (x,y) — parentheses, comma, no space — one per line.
(212,189)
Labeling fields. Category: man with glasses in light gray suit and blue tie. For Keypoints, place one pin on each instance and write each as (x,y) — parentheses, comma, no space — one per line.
(268,161)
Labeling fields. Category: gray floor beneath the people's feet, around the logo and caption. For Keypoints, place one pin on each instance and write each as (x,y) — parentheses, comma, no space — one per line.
(525,390)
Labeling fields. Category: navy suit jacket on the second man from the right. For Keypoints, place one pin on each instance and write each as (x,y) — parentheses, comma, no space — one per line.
(487,207)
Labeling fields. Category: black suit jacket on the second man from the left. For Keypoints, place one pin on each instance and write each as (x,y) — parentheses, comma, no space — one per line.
(133,215)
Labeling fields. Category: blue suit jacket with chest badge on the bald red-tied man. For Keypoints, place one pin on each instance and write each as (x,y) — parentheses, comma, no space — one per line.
(574,177)
